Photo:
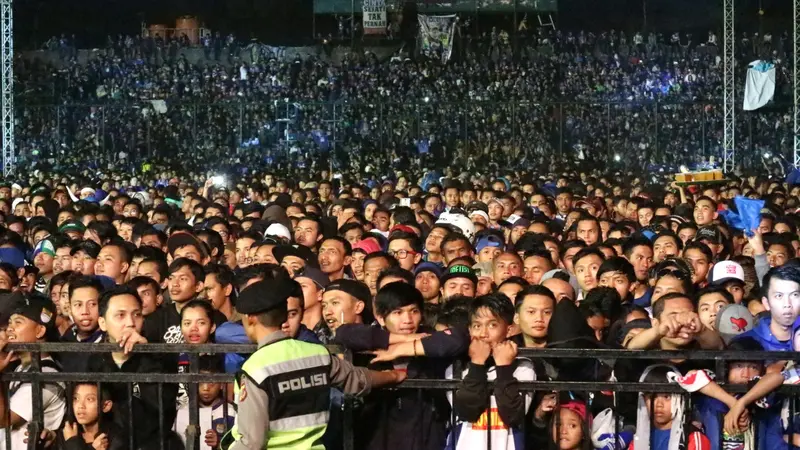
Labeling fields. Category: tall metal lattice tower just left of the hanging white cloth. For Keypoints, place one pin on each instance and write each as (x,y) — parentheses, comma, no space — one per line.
(729,144)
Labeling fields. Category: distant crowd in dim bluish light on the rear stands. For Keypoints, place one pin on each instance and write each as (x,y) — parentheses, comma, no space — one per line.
(642,97)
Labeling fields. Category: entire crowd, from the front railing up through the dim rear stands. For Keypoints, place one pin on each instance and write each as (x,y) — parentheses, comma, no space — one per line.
(461,218)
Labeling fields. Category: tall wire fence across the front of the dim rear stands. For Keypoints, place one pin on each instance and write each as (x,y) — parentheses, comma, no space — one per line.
(620,133)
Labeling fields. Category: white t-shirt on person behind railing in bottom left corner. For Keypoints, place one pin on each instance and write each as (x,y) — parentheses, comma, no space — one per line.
(53,401)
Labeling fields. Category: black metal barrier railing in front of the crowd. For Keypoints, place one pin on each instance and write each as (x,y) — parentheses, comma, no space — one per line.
(37,379)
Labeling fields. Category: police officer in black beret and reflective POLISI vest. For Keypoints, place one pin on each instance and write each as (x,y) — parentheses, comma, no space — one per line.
(283,389)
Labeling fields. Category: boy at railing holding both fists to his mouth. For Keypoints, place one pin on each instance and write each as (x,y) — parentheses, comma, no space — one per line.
(493,357)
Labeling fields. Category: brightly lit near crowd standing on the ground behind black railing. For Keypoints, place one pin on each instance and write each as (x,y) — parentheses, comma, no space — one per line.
(419,276)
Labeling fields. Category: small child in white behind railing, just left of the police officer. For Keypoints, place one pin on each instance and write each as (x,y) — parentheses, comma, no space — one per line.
(217,416)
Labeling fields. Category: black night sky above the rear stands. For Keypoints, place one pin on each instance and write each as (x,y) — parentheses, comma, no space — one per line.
(278,21)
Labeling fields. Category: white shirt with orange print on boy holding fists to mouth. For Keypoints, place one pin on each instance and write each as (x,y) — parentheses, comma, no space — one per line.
(473,436)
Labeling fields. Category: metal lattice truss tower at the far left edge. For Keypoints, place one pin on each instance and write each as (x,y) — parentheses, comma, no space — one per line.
(7,99)
